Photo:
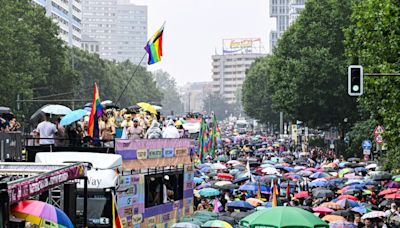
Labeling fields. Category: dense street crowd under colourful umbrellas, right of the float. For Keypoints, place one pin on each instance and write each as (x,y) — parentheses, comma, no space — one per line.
(244,171)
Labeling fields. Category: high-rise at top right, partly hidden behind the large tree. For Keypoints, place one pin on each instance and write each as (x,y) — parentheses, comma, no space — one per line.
(285,12)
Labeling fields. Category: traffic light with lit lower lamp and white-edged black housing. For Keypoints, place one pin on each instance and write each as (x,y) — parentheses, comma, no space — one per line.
(355,80)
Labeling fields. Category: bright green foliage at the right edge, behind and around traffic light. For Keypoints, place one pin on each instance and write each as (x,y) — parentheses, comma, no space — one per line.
(373,40)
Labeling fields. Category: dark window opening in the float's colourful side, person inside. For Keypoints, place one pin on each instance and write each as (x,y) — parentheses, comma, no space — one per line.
(163,188)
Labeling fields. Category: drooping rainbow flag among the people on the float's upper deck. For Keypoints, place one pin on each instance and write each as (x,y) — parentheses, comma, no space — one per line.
(95,114)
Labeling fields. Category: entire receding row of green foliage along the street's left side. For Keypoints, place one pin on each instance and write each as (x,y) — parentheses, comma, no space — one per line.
(36,64)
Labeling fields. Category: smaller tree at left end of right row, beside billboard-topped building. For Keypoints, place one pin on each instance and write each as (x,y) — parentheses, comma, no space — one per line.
(256,94)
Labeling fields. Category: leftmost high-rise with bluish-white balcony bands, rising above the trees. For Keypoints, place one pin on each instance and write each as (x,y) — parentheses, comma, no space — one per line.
(68,15)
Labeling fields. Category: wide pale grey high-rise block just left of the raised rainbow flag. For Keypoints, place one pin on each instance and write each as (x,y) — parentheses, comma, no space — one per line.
(119,27)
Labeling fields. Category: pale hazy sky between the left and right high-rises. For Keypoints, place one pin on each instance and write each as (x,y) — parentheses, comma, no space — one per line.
(195,28)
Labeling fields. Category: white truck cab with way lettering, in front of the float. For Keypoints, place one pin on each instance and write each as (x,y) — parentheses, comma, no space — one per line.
(103,177)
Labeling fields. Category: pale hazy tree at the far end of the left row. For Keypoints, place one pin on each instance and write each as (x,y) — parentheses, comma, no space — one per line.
(171,101)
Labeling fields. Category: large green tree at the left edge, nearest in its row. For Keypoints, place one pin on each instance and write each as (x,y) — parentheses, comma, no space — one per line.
(32,56)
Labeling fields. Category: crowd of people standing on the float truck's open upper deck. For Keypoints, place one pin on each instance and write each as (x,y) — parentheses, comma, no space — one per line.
(112,124)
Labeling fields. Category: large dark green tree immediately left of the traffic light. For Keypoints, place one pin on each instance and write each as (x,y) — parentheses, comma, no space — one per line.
(307,71)
